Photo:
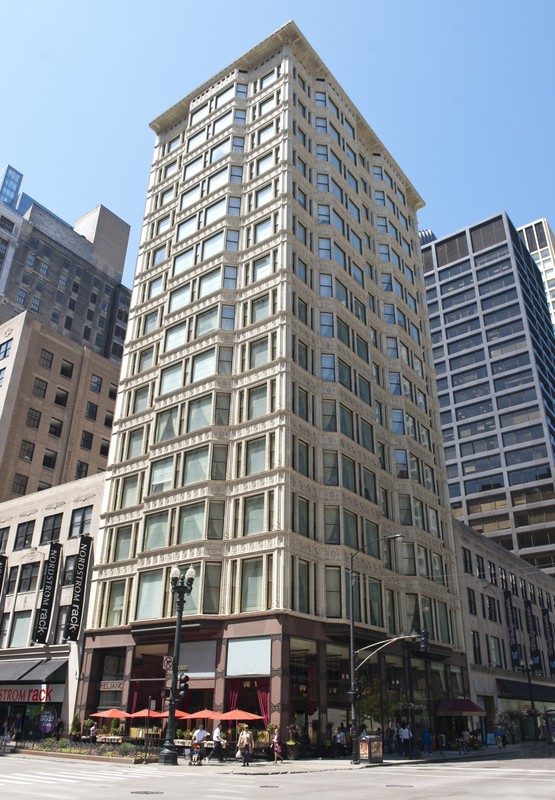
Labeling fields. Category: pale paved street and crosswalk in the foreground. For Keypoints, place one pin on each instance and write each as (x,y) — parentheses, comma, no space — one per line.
(26,777)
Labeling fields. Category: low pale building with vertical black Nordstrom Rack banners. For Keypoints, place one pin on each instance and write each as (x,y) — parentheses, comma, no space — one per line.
(46,548)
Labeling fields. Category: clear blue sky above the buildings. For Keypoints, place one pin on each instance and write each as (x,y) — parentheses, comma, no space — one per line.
(460,93)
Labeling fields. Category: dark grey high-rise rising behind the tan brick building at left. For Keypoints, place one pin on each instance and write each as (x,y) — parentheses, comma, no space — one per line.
(67,278)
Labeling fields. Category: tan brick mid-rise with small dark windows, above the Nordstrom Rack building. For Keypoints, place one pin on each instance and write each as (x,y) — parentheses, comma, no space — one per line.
(57,401)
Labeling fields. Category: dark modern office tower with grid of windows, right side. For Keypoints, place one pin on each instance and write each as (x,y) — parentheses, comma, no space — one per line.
(494,353)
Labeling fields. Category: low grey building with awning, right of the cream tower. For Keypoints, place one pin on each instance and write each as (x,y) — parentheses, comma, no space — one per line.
(508,609)
